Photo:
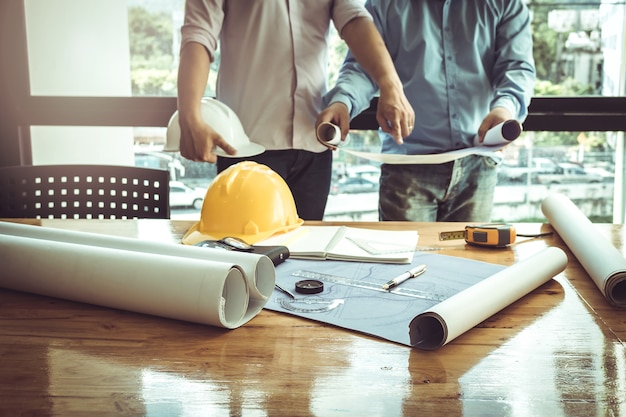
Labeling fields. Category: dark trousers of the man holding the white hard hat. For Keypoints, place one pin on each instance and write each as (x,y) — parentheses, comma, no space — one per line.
(306,173)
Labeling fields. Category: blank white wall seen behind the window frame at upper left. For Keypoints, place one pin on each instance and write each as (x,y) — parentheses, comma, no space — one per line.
(79,48)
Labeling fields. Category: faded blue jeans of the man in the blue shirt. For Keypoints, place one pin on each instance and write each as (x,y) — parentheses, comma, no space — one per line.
(457,191)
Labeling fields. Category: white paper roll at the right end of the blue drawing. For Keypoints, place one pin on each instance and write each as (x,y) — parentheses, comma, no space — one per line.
(454,316)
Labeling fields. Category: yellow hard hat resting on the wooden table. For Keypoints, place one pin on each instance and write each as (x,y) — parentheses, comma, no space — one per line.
(248,201)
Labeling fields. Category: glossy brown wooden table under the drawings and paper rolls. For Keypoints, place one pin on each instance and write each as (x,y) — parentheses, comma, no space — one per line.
(558,351)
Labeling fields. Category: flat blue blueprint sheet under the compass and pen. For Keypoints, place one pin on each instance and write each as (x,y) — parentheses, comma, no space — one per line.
(370,310)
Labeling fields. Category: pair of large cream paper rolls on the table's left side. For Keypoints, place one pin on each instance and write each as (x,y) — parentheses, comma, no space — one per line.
(208,286)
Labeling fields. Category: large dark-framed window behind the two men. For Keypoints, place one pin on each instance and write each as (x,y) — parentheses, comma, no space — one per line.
(101,81)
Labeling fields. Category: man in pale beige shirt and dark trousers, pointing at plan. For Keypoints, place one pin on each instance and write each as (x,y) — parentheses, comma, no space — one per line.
(273,73)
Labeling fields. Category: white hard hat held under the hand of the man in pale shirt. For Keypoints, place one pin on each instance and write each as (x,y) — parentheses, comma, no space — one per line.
(224,121)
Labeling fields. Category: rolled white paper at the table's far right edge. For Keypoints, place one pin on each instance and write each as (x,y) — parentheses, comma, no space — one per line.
(603,262)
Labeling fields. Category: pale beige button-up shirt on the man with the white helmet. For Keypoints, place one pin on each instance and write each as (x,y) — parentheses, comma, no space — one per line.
(273,67)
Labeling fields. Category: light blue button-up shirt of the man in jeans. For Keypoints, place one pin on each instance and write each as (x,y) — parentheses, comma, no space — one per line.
(457,59)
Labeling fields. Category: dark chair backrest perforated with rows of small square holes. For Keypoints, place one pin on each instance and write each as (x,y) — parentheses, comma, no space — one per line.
(84,191)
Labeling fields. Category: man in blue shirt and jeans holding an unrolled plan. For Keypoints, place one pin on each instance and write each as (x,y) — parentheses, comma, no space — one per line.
(466,66)
